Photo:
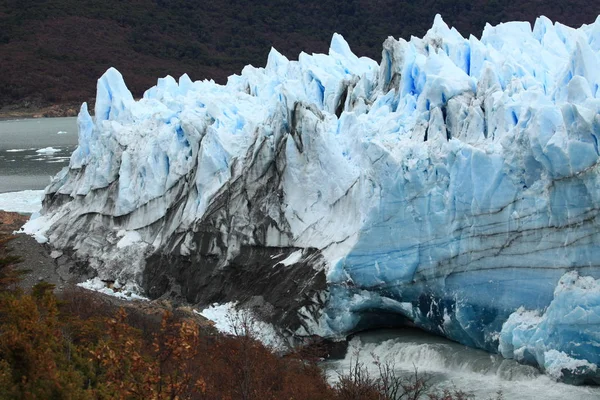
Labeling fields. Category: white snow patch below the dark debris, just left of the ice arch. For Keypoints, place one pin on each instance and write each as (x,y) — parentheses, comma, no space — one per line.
(231,320)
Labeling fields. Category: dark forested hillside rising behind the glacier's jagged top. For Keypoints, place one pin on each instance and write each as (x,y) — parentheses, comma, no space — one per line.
(53,51)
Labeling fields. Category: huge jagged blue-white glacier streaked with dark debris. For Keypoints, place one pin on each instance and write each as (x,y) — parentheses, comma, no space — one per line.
(454,185)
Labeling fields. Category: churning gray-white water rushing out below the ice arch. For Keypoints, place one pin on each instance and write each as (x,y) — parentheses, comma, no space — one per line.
(451,365)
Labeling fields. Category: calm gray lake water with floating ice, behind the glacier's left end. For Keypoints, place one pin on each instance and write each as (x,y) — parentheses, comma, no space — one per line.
(21,167)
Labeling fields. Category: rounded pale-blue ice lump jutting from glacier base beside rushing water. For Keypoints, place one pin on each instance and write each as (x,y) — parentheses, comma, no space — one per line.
(533,337)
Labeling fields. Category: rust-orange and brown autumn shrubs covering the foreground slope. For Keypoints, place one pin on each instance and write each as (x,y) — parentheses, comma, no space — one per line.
(84,347)
